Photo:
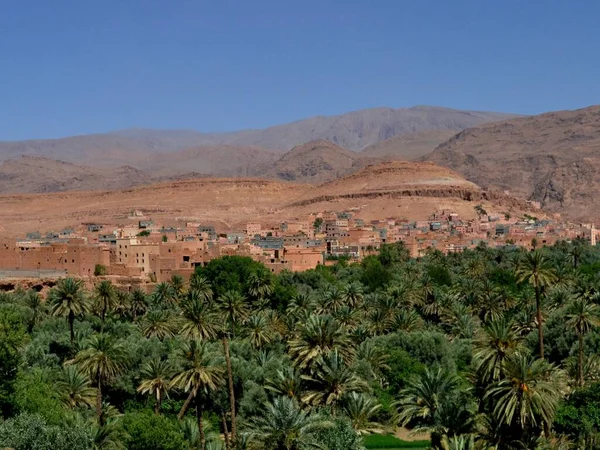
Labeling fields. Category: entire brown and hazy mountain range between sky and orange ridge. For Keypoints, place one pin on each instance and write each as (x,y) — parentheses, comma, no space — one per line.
(551,158)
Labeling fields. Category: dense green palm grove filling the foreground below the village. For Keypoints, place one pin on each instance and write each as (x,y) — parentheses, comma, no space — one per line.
(488,349)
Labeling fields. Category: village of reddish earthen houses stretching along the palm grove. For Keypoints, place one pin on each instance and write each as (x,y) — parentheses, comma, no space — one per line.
(155,252)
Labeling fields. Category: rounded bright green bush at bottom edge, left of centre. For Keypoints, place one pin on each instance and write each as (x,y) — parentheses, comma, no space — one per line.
(148,431)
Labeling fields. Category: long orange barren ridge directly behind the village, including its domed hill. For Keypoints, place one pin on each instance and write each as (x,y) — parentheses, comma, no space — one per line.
(403,189)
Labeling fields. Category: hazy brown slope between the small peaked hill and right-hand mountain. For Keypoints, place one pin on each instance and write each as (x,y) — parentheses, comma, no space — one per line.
(410,146)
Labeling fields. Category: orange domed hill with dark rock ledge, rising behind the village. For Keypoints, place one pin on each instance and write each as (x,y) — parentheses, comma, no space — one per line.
(405,189)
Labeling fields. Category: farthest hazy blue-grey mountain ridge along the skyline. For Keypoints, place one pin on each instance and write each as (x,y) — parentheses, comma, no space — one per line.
(354,131)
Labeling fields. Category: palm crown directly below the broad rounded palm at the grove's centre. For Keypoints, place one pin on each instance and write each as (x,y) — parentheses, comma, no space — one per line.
(332,379)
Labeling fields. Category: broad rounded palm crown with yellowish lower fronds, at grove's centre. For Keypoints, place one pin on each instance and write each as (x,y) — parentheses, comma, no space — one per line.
(316,338)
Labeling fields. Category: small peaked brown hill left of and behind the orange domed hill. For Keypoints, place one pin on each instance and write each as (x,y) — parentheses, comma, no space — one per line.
(314,162)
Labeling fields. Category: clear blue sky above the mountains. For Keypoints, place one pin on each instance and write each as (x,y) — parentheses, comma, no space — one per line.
(84,66)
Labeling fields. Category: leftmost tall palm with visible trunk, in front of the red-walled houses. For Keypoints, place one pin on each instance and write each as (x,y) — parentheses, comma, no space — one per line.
(68,299)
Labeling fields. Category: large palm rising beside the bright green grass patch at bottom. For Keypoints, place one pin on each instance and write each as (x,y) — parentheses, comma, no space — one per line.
(426,401)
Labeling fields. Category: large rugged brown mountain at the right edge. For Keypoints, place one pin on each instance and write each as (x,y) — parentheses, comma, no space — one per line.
(553,158)
